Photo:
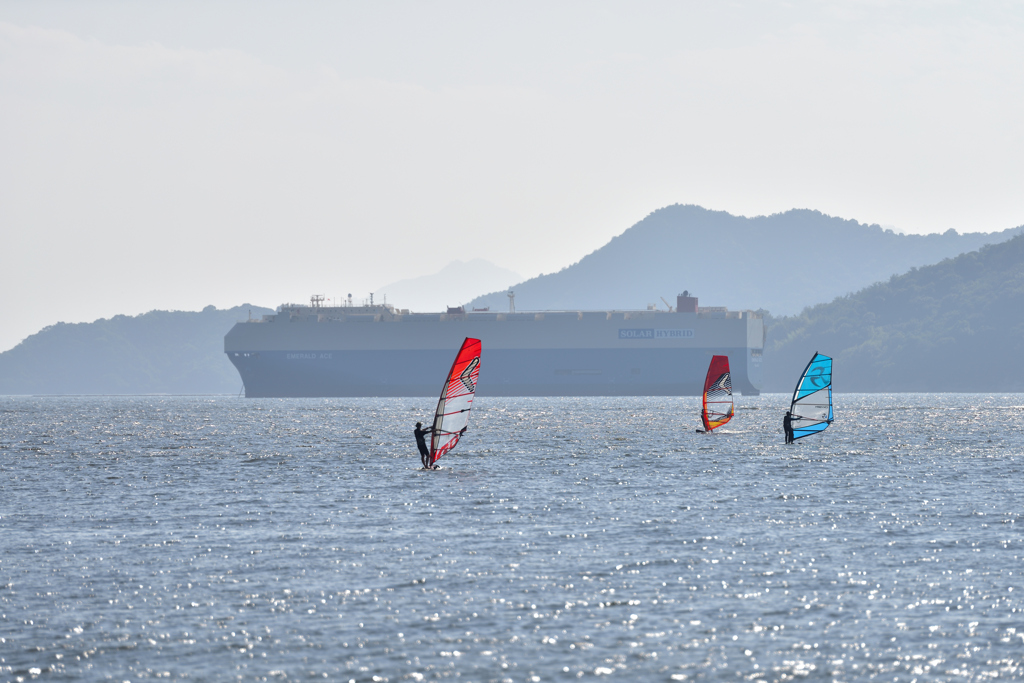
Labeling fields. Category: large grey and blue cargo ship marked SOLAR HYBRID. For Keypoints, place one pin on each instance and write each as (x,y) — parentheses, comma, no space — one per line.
(378,351)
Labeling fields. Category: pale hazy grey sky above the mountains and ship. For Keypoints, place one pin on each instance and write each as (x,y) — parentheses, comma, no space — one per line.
(174,155)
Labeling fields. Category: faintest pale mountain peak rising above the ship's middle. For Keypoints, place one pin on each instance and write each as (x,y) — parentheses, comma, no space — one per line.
(454,285)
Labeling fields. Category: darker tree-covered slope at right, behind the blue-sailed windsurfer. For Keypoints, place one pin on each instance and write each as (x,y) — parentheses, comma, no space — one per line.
(956,326)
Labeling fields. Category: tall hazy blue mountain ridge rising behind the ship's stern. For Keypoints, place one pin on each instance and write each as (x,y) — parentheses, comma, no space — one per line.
(781,264)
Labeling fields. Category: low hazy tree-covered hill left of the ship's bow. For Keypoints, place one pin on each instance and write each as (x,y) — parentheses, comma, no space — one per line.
(156,353)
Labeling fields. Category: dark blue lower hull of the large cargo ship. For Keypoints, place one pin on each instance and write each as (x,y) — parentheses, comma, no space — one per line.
(503,373)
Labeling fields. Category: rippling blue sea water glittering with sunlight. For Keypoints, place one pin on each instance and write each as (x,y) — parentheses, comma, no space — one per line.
(567,539)
